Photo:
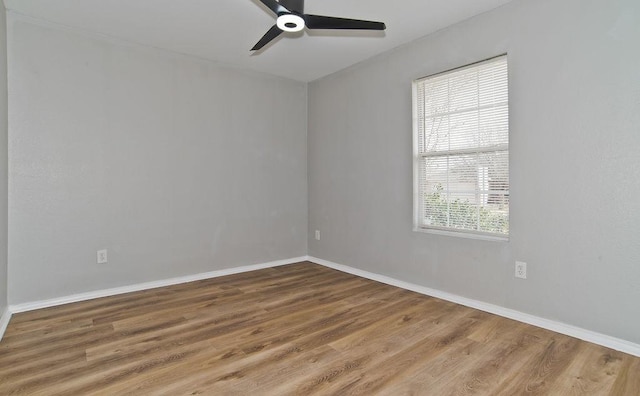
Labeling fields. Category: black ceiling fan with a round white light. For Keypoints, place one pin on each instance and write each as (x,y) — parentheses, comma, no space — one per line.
(291,18)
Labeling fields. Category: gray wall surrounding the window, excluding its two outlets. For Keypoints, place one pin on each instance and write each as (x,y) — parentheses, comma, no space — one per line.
(575,164)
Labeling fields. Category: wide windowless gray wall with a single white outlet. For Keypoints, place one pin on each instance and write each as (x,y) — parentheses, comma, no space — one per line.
(175,165)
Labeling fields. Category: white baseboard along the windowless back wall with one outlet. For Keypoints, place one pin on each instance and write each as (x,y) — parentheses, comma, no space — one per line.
(148,285)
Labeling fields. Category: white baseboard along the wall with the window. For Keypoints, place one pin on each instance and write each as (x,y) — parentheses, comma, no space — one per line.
(562,328)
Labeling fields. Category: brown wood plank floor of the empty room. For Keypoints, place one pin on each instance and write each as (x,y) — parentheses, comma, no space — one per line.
(300,329)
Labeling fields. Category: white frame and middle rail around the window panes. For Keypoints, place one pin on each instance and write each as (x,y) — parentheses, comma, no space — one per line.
(418,157)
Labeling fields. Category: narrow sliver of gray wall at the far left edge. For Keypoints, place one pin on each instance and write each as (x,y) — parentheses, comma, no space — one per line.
(3,159)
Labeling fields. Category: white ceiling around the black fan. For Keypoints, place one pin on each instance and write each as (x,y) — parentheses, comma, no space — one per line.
(225,30)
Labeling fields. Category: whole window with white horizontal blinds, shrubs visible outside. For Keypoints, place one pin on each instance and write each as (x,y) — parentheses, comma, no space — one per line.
(461,150)
